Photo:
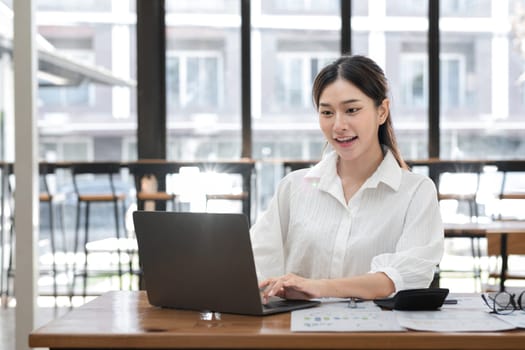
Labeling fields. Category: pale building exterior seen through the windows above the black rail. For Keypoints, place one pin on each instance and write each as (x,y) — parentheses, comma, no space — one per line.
(482,96)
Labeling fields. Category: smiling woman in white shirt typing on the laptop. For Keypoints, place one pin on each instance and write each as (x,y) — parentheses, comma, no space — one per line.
(359,223)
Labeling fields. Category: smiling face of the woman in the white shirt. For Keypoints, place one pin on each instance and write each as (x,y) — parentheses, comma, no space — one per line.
(350,120)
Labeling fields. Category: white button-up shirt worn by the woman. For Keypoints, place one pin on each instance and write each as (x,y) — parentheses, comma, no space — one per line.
(392,224)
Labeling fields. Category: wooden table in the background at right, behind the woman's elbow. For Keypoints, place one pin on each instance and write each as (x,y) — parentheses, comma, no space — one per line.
(501,228)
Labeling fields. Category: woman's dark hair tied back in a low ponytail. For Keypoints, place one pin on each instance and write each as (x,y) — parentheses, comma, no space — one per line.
(368,77)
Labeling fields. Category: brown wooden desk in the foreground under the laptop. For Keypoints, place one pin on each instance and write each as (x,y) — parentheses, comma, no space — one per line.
(124,319)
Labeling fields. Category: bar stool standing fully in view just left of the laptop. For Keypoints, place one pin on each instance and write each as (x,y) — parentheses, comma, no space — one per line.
(97,173)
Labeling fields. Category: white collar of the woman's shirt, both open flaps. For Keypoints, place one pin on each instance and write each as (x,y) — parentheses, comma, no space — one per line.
(325,175)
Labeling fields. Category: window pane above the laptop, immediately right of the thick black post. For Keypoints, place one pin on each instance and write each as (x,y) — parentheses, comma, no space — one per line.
(203,80)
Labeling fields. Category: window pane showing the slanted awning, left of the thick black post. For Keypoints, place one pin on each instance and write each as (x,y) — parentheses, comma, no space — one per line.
(74,40)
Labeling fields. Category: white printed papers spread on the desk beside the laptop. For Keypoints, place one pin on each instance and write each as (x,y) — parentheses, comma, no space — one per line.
(468,315)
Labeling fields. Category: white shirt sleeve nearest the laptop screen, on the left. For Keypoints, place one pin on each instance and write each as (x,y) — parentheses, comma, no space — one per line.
(268,234)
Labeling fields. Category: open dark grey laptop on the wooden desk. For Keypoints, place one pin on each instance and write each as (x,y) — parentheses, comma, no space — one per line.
(203,262)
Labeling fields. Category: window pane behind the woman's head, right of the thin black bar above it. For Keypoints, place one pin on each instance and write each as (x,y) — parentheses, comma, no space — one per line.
(395,36)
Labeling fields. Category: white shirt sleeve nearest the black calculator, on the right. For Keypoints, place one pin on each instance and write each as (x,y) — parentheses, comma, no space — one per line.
(421,244)
